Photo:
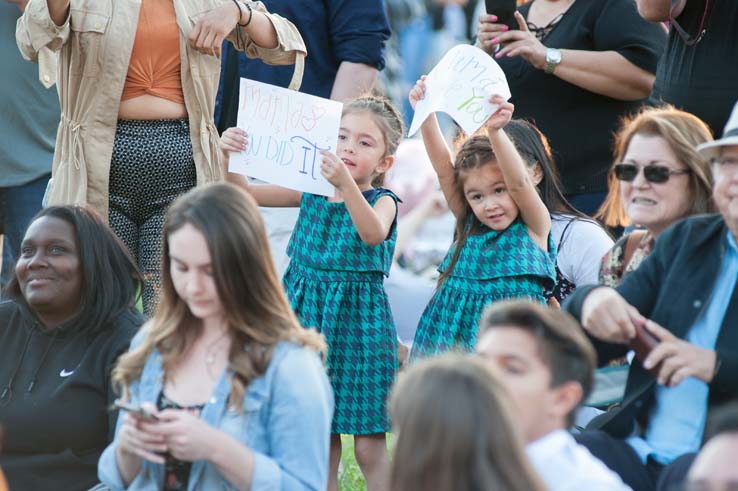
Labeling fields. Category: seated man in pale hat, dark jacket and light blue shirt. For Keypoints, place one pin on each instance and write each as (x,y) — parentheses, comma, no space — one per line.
(685,295)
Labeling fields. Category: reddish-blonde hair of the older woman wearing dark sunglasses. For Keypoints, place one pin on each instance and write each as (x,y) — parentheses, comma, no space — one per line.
(683,132)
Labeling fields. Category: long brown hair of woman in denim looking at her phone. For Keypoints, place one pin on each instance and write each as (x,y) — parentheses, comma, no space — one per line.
(256,308)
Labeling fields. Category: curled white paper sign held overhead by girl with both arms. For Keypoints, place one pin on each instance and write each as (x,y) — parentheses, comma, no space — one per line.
(460,85)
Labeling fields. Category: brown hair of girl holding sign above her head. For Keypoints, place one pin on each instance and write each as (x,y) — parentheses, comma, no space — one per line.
(474,152)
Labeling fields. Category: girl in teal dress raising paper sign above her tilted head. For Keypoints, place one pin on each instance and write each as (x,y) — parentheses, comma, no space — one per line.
(503,247)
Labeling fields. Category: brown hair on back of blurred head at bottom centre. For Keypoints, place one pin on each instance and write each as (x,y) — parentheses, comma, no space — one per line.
(454,431)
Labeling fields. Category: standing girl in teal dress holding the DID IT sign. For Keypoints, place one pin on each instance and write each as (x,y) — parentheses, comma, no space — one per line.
(340,251)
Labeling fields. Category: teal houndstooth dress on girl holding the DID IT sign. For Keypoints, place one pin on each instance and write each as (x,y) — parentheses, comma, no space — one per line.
(335,283)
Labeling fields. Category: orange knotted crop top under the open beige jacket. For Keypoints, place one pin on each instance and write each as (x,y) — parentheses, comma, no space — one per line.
(155,63)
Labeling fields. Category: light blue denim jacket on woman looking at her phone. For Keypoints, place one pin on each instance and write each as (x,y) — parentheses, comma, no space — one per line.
(286,422)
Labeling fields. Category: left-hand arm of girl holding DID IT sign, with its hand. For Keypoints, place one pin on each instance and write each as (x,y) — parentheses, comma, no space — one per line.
(236,140)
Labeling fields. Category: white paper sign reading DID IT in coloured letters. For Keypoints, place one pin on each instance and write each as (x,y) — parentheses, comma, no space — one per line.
(286,131)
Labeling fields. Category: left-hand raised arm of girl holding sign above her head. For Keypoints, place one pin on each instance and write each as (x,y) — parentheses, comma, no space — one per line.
(438,152)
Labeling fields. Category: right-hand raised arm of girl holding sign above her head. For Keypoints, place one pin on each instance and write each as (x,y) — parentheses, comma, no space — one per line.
(518,181)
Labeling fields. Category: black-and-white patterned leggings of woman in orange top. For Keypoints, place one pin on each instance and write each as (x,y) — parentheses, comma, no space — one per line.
(152,164)
